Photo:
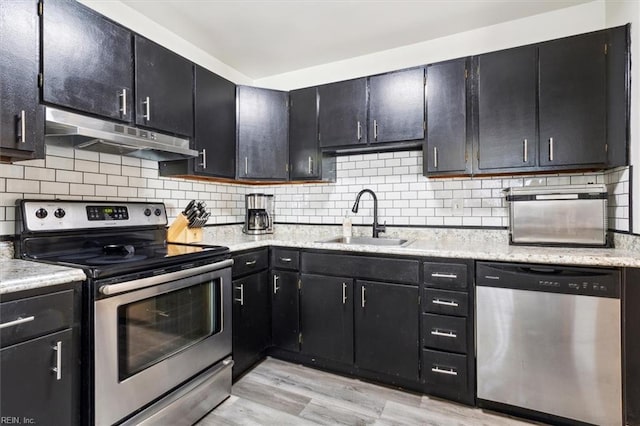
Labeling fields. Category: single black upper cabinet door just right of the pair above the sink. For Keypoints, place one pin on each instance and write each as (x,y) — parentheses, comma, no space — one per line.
(446,118)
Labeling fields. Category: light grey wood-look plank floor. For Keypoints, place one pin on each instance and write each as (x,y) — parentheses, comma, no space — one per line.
(281,393)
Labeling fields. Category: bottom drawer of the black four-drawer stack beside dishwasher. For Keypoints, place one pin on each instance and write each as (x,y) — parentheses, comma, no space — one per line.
(446,371)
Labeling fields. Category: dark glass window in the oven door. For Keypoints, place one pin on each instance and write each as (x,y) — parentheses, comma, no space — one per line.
(156,328)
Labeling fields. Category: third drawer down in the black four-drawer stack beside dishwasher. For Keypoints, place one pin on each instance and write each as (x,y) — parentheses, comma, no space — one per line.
(444,332)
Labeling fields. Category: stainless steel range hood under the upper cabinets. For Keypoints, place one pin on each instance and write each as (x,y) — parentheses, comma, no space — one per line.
(82,132)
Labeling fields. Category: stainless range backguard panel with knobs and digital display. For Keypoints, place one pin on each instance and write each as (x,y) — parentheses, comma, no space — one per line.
(57,215)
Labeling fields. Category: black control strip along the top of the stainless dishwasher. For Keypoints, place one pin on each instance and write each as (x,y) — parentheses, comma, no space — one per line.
(599,282)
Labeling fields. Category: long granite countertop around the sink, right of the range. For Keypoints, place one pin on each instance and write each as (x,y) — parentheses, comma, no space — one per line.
(451,248)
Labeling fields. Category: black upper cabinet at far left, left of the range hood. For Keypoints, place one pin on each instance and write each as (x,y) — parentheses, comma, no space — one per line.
(21,118)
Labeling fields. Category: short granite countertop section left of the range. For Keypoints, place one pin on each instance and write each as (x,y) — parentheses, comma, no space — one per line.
(18,275)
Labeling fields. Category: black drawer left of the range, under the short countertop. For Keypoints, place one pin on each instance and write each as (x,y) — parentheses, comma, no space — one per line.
(35,316)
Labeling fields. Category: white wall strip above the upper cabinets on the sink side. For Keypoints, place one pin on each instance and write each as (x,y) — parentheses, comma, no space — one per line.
(574,20)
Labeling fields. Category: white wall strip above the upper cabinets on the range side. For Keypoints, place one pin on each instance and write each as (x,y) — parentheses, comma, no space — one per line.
(134,20)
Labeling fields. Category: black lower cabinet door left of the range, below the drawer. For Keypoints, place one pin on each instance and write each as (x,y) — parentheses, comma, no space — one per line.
(30,389)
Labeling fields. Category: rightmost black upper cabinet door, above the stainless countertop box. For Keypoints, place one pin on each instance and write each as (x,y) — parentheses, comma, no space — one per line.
(572,74)
